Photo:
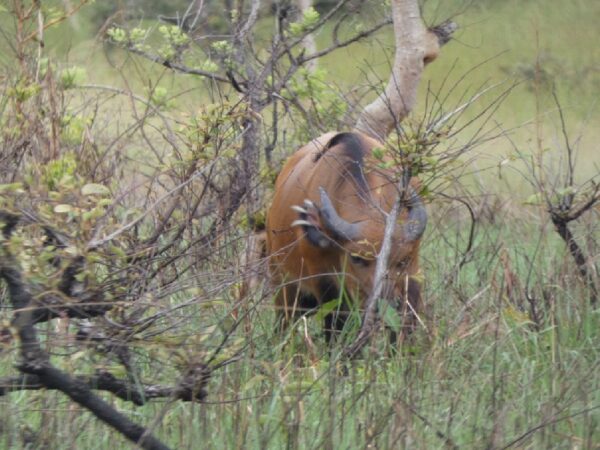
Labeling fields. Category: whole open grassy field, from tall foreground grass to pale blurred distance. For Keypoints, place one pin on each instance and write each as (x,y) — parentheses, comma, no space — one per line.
(479,372)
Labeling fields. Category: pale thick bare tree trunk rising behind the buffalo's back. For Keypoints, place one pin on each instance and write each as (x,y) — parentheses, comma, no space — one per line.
(415,47)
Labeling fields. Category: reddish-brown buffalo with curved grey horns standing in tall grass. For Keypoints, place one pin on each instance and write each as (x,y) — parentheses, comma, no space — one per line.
(326,225)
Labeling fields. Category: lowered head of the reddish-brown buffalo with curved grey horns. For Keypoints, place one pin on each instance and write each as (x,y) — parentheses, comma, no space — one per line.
(351,242)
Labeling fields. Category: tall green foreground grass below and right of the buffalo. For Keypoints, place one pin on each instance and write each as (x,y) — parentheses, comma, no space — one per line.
(479,376)
